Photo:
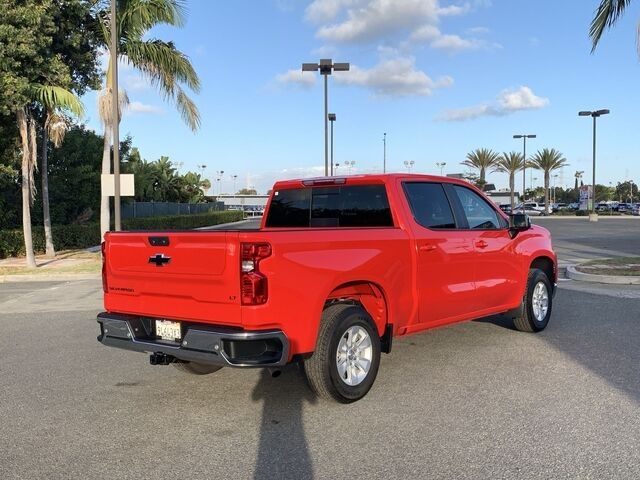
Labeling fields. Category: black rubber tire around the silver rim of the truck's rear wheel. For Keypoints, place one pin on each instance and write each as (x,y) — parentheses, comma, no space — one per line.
(321,369)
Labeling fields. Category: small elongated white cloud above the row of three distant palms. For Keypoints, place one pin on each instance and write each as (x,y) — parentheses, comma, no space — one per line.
(506,103)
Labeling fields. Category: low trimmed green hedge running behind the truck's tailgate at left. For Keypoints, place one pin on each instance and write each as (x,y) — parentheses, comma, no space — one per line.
(66,237)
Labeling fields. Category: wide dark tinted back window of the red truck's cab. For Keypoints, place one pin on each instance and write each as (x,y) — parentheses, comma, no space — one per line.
(343,206)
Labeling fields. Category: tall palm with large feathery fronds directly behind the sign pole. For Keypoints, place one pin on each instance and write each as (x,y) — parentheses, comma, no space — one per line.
(160,63)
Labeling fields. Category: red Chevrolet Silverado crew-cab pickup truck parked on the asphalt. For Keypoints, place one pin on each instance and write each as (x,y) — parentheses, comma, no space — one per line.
(337,269)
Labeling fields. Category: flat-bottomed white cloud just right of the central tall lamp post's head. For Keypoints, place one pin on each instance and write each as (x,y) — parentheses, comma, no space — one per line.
(394,77)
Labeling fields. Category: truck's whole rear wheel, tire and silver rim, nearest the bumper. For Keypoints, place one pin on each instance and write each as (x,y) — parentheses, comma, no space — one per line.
(345,363)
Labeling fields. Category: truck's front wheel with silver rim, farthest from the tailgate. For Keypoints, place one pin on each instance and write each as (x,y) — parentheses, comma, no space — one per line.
(537,303)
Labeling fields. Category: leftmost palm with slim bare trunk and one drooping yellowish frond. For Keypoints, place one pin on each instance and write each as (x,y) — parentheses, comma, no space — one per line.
(51,98)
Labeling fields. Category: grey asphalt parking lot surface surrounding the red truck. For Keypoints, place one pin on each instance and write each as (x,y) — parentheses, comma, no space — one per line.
(474,400)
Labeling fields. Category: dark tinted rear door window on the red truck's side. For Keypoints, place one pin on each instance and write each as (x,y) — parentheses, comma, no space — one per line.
(429,205)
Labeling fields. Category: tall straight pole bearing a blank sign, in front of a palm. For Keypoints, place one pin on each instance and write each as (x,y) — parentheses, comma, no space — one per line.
(115,115)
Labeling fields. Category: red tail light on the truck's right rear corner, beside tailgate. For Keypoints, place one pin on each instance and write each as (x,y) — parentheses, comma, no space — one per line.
(253,283)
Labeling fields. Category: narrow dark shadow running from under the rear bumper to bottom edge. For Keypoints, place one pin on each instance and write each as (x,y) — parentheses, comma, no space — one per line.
(283,451)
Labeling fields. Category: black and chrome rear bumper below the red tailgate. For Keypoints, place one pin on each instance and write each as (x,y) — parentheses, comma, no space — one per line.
(200,343)
